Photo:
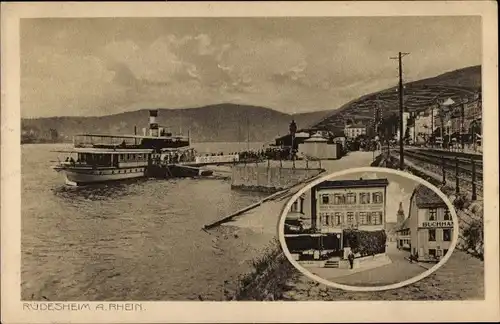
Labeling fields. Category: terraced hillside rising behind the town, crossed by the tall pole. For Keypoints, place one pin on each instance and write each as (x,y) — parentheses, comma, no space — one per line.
(418,96)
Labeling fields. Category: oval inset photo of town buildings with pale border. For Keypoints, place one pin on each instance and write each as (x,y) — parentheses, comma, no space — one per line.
(368,229)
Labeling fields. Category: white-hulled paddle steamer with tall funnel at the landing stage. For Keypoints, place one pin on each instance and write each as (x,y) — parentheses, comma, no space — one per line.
(100,158)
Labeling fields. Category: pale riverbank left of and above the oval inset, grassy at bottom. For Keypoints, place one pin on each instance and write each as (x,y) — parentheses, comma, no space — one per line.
(251,237)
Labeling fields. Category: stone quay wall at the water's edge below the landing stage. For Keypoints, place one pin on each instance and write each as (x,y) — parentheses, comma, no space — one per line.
(269,178)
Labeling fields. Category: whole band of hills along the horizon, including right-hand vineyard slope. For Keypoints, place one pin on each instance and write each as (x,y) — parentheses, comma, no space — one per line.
(238,123)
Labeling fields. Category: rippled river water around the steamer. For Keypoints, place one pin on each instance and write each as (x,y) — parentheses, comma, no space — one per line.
(135,240)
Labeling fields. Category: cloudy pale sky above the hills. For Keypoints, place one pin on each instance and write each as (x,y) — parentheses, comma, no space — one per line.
(101,66)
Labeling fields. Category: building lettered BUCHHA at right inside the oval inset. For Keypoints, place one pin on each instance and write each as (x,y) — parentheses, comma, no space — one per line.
(430,225)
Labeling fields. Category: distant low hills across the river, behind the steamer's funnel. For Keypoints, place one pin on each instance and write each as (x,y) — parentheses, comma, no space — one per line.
(214,123)
